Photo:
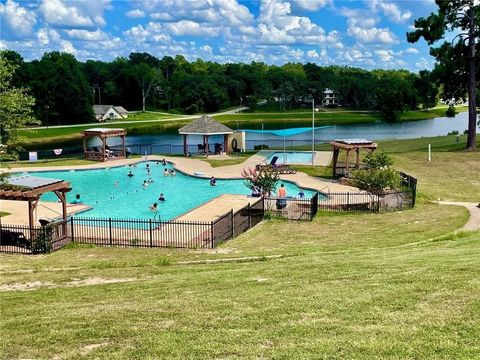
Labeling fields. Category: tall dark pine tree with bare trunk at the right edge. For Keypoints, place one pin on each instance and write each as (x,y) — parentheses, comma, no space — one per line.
(457,64)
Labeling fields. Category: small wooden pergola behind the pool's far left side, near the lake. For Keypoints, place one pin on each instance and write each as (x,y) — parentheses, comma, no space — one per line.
(103,154)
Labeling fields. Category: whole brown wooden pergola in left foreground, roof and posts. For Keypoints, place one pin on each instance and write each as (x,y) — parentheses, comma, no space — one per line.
(31,188)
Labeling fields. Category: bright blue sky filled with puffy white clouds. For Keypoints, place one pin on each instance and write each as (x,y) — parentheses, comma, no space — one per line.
(362,33)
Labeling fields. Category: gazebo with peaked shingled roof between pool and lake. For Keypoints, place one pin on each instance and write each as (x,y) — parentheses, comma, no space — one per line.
(205,126)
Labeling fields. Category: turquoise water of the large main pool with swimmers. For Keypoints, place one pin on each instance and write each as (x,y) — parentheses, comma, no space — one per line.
(129,199)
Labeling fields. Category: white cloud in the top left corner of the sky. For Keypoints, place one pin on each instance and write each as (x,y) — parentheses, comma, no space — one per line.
(16,22)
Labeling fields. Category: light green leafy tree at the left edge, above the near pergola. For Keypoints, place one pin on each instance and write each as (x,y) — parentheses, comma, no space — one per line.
(15,113)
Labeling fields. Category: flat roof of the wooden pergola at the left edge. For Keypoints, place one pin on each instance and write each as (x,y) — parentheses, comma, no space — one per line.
(31,187)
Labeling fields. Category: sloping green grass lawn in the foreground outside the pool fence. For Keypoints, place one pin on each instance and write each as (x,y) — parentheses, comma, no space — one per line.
(394,285)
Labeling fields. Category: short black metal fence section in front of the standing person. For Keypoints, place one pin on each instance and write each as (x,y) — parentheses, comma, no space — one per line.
(293,208)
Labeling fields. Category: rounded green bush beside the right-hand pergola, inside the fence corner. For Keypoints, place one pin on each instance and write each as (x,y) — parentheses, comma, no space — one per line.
(376,180)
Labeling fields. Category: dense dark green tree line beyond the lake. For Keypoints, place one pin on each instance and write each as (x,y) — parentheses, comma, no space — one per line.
(65,89)
